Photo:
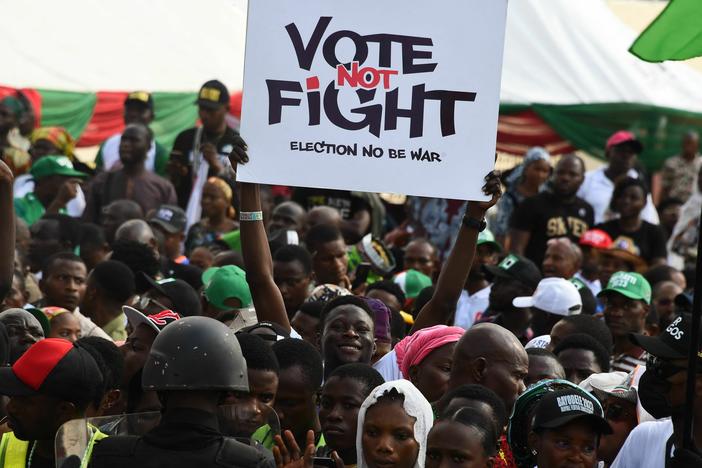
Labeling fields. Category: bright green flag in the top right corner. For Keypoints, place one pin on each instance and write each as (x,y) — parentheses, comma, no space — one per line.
(676,34)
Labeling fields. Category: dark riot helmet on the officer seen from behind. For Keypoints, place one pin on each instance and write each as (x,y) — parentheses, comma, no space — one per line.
(195,353)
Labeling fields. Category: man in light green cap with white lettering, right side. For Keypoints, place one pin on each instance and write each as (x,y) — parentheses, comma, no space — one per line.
(626,300)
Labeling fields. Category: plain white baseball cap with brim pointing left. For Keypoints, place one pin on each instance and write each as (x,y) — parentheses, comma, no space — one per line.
(554,295)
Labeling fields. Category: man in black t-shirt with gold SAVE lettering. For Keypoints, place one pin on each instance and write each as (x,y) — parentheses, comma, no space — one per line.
(553,213)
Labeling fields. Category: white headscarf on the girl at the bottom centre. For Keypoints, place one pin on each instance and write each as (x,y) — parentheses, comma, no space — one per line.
(415,405)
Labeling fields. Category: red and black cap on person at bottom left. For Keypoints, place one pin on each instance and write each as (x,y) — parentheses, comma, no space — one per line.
(53,367)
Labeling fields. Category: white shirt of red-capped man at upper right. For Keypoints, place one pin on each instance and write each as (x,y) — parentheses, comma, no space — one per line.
(597,191)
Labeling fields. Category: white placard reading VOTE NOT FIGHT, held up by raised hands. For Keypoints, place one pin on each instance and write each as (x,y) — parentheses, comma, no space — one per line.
(396,96)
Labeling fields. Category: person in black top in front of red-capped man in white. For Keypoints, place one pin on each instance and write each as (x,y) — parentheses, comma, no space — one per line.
(628,200)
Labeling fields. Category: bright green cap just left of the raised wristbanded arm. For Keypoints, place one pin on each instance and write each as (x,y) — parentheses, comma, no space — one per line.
(227,282)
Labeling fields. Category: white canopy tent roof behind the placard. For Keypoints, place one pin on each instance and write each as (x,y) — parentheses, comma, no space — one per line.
(556,51)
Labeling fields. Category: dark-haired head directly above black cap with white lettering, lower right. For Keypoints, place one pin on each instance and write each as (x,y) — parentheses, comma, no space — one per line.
(581,356)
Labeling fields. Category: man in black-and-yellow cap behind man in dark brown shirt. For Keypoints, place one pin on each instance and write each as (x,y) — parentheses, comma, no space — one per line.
(138,109)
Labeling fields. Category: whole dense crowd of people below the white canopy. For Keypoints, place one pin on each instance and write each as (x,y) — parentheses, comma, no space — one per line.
(177,317)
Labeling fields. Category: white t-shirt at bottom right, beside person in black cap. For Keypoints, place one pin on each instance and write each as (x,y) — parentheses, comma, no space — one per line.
(645,447)
